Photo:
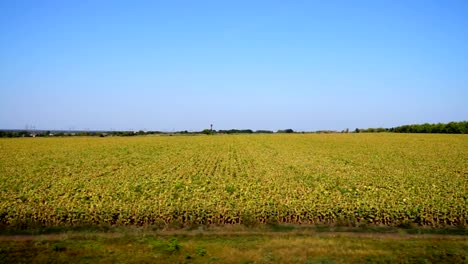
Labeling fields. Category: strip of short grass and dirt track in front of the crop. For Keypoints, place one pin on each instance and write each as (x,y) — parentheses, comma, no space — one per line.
(232,244)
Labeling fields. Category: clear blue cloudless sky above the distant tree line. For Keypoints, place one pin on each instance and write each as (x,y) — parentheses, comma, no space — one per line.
(182,65)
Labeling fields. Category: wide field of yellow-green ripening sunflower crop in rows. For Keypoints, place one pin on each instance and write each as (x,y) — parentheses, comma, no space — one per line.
(180,181)
